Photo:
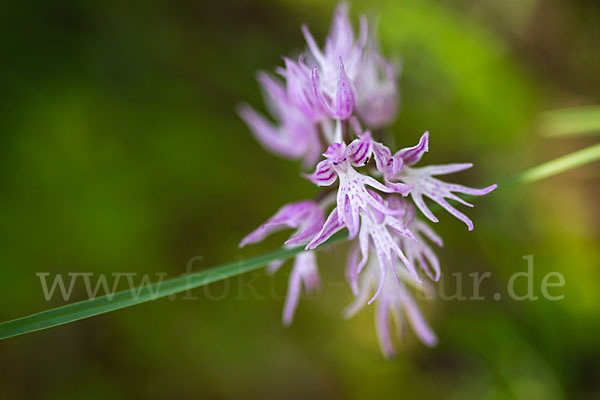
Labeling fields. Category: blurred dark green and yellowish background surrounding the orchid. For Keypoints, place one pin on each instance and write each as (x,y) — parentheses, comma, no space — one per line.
(121,152)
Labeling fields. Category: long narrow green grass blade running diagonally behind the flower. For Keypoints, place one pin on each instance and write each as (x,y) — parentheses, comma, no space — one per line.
(100,305)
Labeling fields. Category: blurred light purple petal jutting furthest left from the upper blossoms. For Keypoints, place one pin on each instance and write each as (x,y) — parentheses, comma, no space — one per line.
(268,135)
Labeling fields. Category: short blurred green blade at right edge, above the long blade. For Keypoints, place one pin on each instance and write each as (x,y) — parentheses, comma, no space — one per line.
(570,121)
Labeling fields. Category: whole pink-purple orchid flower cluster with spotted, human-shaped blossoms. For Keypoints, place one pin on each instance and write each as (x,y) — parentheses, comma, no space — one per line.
(320,102)
